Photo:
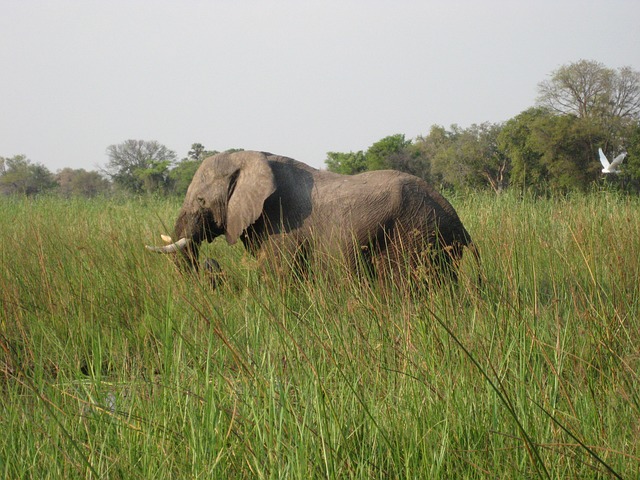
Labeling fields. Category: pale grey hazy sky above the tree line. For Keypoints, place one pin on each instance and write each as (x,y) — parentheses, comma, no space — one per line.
(296,78)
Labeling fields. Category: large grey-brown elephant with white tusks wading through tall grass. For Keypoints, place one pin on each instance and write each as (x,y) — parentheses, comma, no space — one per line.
(385,220)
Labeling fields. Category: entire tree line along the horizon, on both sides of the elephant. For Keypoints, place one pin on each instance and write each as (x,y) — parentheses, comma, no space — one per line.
(551,146)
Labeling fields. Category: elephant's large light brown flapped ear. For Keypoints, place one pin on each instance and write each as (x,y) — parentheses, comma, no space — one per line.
(254,183)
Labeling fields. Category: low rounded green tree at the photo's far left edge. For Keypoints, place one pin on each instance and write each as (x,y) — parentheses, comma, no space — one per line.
(18,175)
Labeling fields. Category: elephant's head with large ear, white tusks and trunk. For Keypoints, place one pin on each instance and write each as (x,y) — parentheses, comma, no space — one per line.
(226,195)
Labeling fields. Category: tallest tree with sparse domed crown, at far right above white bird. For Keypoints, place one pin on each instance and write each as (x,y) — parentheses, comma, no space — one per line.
(593,106)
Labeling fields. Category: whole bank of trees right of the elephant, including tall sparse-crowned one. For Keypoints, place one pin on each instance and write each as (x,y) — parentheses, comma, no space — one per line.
(553,147)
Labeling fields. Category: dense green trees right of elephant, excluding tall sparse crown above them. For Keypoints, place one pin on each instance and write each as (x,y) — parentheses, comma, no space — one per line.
(536,150)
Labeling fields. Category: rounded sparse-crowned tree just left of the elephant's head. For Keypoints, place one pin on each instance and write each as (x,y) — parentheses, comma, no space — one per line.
(140,166)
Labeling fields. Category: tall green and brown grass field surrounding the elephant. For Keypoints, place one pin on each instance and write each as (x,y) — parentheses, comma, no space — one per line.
(114,366)
